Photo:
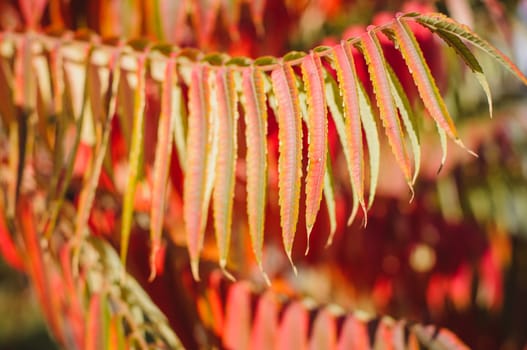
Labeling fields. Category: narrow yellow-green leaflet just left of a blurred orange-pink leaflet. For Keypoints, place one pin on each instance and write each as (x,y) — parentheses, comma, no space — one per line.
(135,156)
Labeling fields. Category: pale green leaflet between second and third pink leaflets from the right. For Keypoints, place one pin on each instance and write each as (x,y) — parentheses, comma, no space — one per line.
(372,138)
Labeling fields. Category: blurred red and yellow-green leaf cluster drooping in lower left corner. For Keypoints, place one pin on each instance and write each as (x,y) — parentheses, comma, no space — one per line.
(86,304)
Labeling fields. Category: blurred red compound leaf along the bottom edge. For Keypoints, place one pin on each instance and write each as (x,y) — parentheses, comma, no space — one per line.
(239,318)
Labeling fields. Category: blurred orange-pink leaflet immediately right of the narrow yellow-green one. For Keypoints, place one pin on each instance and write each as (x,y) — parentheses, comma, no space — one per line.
(165,133)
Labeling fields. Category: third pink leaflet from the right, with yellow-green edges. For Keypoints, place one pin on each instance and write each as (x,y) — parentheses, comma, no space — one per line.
(347,78)
